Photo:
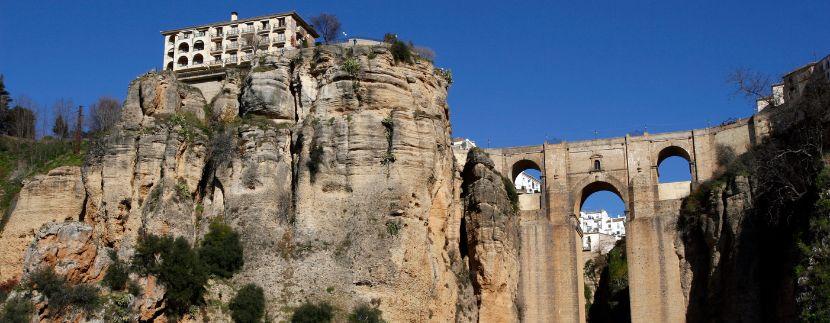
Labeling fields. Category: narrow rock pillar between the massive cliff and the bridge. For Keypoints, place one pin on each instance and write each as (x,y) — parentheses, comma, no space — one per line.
(492,239)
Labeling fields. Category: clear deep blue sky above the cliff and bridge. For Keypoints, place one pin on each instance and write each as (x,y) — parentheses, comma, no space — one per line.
(524,71)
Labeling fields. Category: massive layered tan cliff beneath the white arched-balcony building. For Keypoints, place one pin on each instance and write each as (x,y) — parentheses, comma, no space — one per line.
(334,165)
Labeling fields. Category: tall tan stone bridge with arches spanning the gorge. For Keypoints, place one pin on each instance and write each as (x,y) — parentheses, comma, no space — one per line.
(551,287)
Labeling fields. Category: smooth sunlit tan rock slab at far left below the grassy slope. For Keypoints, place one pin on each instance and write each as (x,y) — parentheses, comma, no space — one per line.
(54,197)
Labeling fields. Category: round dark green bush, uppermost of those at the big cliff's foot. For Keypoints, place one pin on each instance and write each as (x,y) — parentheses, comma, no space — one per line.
(221,250)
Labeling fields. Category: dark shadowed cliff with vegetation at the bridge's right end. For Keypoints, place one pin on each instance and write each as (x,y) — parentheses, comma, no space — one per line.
(755,237)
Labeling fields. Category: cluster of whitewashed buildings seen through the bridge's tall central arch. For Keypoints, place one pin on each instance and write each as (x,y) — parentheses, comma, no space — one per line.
(600,231)
